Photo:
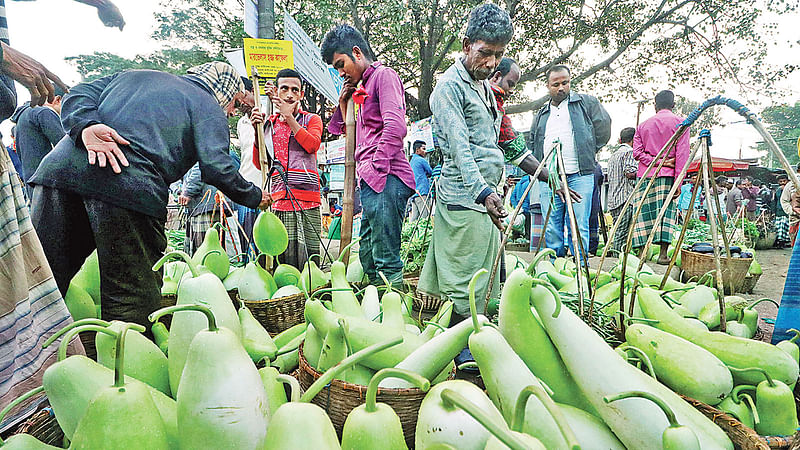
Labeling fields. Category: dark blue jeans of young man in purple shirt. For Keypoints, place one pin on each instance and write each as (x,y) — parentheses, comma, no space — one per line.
(381,223)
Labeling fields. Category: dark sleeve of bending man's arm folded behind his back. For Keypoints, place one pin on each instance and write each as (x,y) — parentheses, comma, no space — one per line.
(79,109)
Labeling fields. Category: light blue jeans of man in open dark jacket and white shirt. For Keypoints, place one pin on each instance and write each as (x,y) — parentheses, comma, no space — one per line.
(559,218)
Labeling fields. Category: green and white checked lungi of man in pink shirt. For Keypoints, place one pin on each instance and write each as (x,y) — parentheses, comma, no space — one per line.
(646,222)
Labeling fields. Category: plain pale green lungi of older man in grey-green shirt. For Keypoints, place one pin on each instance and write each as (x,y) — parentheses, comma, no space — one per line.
(463,242)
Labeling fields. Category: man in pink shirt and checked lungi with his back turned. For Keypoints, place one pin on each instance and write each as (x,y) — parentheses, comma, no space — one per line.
(650,138)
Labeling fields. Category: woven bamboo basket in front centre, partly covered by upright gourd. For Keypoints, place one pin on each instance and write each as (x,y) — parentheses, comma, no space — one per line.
(339,398)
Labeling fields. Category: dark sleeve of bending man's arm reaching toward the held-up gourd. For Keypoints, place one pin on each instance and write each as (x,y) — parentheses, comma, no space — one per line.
(212,142)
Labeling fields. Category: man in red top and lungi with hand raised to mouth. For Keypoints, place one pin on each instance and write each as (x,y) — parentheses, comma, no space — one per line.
(292,137)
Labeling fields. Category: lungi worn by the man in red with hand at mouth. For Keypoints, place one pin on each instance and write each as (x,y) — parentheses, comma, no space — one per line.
(303,228)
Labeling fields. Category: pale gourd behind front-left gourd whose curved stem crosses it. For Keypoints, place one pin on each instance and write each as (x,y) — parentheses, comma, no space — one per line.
(198,288)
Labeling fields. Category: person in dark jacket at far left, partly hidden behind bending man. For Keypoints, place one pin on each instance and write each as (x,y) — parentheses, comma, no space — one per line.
(38,131)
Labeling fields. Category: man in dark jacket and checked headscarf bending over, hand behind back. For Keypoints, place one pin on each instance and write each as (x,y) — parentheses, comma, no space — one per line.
(150,127)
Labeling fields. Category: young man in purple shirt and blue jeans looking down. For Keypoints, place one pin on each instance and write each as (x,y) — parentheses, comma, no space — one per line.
(384,174)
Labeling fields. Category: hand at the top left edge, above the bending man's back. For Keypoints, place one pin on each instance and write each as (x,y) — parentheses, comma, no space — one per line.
(31,74)
